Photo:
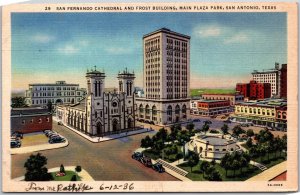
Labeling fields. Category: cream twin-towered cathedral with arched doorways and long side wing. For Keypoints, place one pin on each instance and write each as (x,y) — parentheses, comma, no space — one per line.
(102,113)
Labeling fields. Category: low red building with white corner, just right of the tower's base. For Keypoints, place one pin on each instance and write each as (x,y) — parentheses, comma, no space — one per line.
(206,107)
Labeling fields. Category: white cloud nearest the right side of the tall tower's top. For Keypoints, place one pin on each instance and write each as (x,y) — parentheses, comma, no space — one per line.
(212,30)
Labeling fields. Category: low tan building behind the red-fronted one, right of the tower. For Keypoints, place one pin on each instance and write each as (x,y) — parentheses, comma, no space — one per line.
(233,98)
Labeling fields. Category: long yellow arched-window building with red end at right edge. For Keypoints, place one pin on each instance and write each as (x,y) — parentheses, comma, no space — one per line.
(268,112)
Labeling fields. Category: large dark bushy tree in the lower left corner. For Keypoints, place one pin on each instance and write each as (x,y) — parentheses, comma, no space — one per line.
(36,170)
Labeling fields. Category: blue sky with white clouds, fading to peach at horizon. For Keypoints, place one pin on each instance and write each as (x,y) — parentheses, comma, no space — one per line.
(224,47)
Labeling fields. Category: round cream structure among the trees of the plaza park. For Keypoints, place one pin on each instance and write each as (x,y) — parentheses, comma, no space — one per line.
(212,147)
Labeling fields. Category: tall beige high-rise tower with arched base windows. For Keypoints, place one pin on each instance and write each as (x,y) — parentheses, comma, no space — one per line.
(166,77)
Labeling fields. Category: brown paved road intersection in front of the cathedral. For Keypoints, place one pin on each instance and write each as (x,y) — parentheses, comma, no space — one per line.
(108,161)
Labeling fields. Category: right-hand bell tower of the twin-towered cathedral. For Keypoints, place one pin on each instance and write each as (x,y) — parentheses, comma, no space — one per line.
(126,83)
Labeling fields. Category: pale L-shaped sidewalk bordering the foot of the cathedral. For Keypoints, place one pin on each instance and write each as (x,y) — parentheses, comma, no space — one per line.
(95,139)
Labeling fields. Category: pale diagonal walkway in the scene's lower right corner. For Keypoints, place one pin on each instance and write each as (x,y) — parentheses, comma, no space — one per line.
(271,173)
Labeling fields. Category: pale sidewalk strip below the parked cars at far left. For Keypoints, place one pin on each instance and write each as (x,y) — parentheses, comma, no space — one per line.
(29,149)
